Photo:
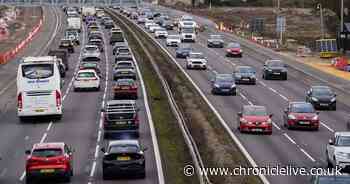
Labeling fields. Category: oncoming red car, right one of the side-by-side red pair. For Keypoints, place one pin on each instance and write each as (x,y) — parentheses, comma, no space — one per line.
(301,115)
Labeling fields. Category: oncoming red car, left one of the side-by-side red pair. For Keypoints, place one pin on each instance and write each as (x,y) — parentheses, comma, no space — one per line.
(255,119)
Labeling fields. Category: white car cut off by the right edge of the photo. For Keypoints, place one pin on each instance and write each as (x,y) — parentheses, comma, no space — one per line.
(338,150)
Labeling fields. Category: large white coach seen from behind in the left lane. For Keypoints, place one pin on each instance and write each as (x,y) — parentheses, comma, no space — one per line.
(39,87)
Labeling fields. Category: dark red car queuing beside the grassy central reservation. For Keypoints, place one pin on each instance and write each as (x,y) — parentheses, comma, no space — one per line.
(125,88)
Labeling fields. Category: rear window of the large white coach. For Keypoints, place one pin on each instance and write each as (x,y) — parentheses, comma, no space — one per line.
(37,71)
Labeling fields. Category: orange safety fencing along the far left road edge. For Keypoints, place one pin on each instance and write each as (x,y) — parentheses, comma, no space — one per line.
(8,55)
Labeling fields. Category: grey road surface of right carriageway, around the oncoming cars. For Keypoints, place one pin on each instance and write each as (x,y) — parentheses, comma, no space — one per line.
(284,147)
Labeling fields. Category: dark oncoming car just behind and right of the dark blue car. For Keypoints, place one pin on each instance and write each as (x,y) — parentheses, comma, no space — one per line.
(245,75)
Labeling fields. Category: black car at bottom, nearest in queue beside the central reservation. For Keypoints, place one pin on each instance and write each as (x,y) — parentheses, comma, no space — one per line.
(123,158)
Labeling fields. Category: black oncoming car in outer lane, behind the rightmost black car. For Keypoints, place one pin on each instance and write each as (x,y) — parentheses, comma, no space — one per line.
(274,69)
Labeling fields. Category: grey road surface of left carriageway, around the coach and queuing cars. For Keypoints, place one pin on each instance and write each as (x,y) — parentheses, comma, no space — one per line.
(81,125)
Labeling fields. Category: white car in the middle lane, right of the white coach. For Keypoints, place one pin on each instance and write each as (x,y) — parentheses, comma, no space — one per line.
(87,79)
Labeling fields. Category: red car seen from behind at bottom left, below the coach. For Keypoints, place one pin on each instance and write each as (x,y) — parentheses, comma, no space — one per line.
(49,160)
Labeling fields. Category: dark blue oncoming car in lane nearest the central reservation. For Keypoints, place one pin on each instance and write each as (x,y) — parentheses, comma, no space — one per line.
(224,84)
